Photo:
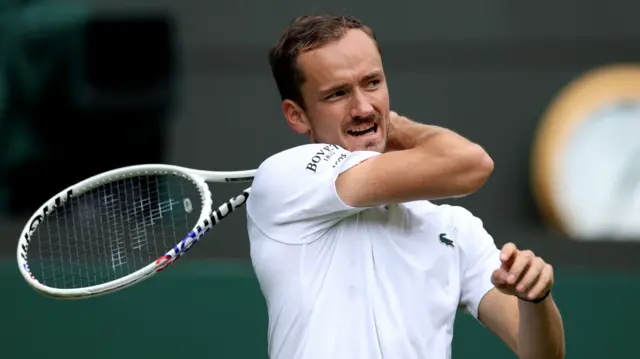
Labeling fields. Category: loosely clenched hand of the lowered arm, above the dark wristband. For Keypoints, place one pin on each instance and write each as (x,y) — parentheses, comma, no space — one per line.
(522,274)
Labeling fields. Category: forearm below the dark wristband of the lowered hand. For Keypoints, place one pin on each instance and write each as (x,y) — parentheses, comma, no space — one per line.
(541,333)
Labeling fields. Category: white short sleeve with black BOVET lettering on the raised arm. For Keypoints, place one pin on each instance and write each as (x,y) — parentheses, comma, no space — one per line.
(293,196)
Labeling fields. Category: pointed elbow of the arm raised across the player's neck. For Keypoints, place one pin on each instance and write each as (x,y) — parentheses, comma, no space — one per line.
(477,168)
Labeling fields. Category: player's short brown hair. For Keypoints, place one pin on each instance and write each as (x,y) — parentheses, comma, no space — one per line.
(306,33)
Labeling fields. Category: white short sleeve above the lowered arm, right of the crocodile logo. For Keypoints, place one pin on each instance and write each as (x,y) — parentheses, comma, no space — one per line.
(479,257)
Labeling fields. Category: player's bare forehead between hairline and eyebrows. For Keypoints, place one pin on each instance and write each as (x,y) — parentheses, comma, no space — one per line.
(353,56)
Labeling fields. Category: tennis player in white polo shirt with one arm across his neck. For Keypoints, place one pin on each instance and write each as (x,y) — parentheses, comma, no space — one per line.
(352,258)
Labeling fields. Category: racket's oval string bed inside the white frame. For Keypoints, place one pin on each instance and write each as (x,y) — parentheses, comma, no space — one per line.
(113,230)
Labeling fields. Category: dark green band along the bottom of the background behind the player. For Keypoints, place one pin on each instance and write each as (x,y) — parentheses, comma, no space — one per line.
(200,309)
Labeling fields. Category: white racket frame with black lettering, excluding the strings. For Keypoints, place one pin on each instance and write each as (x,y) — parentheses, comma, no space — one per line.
(206,220)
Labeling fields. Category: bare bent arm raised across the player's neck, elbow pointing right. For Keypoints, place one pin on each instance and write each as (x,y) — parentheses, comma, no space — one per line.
(422,163)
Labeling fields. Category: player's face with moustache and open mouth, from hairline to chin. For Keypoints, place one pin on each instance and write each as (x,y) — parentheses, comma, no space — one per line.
(345,94)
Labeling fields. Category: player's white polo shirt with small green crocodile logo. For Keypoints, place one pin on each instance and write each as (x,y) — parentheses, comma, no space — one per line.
(359,283)
